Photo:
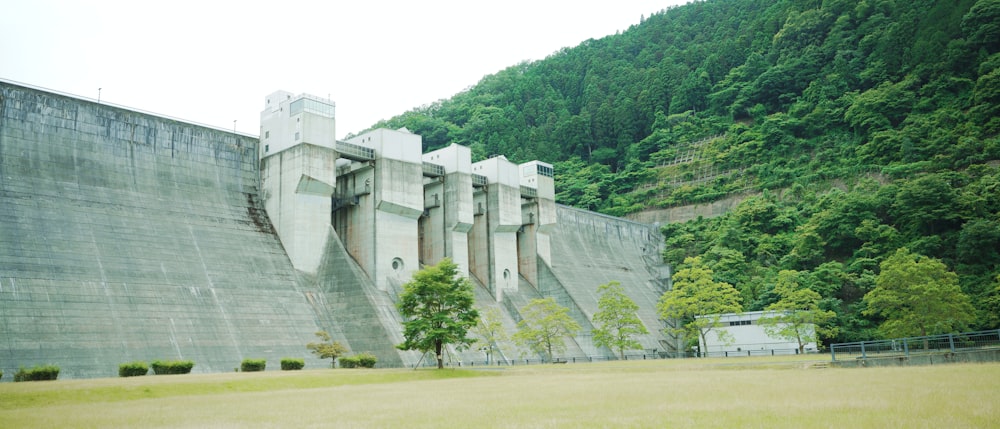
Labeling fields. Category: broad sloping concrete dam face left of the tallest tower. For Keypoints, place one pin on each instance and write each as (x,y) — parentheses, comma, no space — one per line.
(126,237)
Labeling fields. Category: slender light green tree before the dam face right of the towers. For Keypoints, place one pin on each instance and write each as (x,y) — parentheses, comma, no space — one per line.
(616,320)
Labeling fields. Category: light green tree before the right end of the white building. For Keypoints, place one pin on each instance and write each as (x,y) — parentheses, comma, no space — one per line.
(798,316)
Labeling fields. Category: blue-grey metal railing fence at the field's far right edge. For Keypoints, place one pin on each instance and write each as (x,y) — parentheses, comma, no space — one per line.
(967,341)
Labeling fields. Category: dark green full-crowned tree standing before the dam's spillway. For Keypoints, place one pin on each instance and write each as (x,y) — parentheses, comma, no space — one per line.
(438,306)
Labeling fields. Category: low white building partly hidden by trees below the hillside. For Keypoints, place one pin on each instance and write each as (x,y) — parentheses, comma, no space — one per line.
(747,337)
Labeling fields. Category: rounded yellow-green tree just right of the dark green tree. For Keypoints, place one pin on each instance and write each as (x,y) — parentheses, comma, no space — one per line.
(544,326)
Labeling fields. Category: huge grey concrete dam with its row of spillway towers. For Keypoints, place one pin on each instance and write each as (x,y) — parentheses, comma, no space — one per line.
(128,236)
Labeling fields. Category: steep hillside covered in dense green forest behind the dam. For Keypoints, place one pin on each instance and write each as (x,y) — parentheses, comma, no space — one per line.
(857,127)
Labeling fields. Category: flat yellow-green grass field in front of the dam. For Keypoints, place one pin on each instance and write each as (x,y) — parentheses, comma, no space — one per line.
(735,393)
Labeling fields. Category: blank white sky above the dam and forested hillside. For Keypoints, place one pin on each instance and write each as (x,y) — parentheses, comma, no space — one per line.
(213,62)
